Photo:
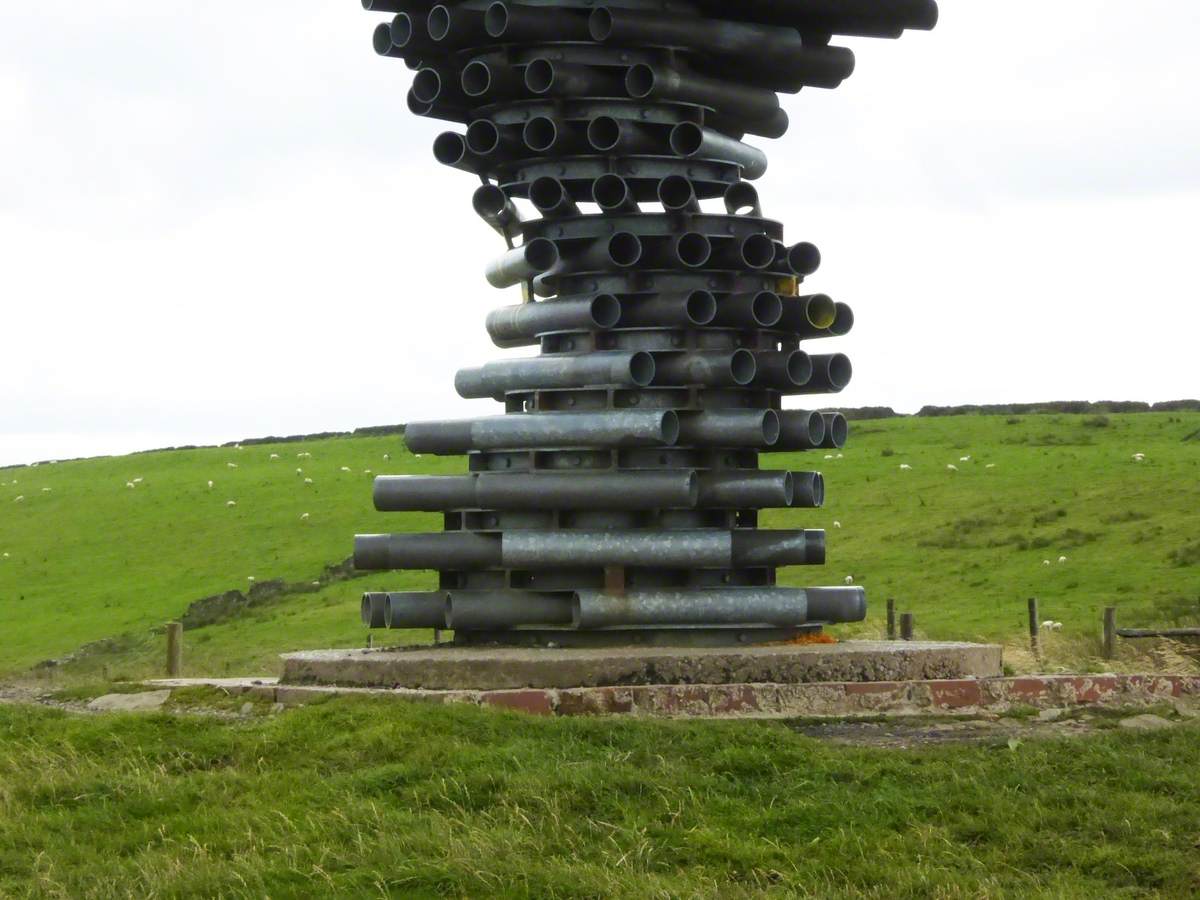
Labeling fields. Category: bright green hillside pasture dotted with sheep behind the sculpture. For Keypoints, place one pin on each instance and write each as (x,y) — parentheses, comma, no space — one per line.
(93,559)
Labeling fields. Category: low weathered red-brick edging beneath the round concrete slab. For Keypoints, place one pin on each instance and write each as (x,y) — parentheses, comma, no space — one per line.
(831,699)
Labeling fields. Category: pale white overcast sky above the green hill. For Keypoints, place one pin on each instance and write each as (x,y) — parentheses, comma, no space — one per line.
(219,220)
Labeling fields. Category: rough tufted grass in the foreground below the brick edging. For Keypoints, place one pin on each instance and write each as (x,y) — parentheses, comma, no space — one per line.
(362,799)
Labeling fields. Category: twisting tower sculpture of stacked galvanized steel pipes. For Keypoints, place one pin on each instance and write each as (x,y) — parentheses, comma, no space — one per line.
(617,499)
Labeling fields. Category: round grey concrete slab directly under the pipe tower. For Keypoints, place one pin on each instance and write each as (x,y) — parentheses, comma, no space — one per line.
(449,668)
